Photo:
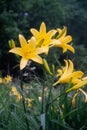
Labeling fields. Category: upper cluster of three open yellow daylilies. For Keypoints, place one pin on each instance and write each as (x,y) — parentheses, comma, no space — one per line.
(40,43)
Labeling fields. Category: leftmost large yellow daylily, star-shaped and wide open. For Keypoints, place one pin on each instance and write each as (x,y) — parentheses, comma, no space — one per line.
(28,51)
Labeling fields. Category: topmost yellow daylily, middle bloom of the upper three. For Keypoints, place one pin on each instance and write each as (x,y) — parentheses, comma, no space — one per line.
(43,38)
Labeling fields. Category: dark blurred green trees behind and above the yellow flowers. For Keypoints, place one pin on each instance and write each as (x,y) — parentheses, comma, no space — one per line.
(18,16)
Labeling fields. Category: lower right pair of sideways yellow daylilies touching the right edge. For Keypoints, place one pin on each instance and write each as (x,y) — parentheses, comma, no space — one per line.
(67,74)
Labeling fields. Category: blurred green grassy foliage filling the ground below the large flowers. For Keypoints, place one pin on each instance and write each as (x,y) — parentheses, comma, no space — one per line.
(60,114)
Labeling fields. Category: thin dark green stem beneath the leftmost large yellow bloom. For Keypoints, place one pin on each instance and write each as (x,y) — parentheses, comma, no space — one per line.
(23,99)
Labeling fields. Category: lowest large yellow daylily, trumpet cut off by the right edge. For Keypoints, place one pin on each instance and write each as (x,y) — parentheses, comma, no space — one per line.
(79,85)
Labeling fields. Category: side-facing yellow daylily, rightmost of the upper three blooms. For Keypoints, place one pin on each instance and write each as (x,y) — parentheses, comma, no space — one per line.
(63,39)
